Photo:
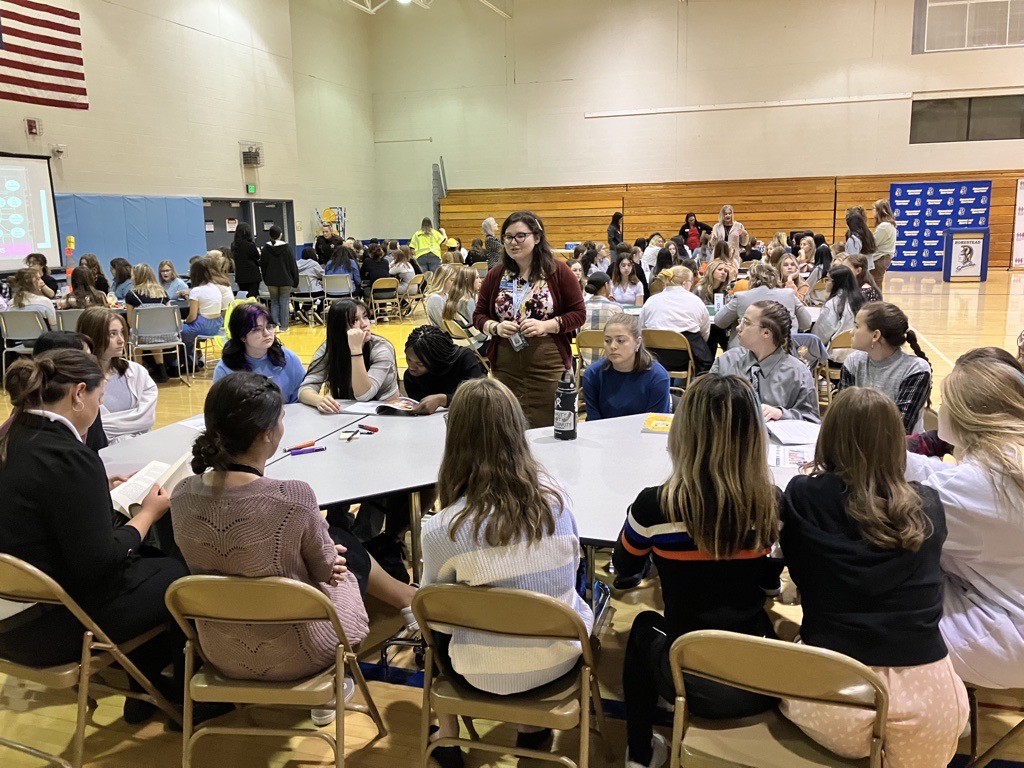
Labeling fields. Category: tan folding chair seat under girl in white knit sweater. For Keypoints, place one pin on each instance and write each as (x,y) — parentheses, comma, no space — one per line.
(557,705)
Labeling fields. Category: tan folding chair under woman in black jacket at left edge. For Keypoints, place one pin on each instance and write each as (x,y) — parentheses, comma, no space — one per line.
(24,583)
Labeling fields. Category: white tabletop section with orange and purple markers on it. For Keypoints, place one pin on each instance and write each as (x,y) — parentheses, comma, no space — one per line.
(405,455)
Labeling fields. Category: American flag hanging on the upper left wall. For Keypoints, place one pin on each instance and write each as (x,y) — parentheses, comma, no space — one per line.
(41,55)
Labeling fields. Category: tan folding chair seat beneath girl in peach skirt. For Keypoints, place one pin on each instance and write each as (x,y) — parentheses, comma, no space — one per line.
(764,740)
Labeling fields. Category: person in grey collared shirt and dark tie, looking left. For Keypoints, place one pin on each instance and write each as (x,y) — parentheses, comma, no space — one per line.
(784,386)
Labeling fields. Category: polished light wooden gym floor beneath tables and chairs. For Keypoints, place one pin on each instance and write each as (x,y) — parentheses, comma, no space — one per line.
(951,320)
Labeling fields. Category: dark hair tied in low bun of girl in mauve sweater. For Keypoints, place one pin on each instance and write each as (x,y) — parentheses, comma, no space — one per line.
(239,409)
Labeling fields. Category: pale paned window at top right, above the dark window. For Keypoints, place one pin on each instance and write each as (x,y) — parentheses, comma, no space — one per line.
(961,25)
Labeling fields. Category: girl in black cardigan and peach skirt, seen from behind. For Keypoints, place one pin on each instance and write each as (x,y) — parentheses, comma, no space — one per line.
(864,546)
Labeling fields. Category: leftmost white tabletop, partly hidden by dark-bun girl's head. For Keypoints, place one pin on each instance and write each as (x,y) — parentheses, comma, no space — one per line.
(167,444)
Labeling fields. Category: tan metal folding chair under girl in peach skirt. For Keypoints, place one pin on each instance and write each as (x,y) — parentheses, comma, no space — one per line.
(774,668)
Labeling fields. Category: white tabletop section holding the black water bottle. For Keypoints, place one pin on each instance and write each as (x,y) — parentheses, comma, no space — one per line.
(605,470)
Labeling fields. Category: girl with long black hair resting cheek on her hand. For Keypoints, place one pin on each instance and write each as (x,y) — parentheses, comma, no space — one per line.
(352,365)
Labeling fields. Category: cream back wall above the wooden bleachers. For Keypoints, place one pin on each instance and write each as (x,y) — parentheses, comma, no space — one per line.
(505,102)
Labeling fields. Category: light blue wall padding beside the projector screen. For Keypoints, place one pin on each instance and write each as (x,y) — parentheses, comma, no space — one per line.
(141,229)
